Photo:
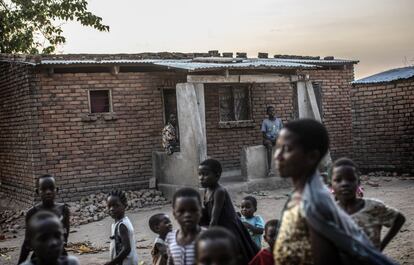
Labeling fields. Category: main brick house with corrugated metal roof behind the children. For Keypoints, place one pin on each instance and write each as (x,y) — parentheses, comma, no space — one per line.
(93,121)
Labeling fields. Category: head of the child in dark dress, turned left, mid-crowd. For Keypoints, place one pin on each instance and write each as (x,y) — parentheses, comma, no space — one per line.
(209,172)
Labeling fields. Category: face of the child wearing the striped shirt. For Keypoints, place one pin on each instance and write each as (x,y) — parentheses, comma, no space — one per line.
(187,212)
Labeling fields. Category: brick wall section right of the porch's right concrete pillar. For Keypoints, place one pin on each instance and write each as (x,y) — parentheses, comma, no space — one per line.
(336,107)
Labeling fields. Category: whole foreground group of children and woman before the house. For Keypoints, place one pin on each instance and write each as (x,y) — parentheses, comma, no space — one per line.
(315,227)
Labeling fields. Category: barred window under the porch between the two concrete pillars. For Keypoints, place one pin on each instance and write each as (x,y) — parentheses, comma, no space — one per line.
(234,102)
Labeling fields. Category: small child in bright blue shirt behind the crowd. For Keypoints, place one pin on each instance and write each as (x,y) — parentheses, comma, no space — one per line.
(253,223)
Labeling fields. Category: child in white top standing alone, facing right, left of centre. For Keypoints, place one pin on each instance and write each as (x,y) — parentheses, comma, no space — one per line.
(122,248)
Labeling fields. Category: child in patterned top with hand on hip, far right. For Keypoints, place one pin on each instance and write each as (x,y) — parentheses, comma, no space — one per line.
(370,214)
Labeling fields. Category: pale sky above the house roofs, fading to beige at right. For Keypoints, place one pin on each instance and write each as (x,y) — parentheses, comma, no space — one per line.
(379,33)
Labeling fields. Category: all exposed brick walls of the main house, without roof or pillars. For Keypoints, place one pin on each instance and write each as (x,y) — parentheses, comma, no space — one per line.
(46,126)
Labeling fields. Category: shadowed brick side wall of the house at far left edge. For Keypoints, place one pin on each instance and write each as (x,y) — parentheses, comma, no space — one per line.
(16,114)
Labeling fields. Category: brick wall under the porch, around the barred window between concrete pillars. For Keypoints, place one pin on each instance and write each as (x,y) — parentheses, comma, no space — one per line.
(225,144)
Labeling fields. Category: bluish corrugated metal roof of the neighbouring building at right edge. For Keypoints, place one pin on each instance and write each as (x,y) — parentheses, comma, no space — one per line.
(388,76)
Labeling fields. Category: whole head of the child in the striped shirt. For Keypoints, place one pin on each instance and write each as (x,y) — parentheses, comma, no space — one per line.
(186,204)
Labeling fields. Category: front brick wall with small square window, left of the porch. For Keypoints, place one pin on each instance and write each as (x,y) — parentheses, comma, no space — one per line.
(98,152)
